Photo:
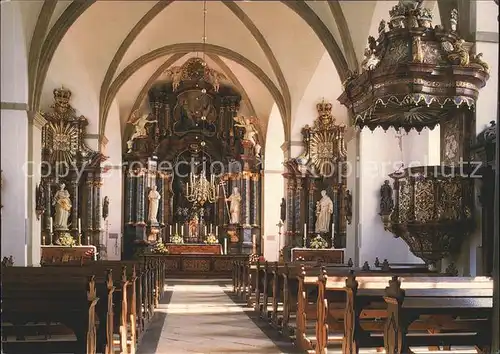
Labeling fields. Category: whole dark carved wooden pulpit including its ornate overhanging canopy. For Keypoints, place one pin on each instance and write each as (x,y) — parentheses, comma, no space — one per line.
(415,76)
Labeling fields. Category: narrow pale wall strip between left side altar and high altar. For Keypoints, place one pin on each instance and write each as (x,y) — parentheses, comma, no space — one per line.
(112,184)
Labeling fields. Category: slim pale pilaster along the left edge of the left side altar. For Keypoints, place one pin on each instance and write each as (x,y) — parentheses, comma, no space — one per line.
(34,240)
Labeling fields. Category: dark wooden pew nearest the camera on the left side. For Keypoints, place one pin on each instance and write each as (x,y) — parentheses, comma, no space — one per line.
(70,301)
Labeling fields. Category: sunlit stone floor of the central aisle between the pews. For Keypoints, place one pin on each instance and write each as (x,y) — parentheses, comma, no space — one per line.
(197,316)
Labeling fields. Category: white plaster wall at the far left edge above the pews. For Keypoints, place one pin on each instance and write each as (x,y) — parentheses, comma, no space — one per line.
(14,130)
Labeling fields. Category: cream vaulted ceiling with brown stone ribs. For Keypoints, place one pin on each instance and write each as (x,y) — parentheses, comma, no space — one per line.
(268,49)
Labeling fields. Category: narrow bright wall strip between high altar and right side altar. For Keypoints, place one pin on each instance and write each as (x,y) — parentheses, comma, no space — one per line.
(273,186)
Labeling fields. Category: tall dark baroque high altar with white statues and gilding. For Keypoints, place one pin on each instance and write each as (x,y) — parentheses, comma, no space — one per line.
(192,168)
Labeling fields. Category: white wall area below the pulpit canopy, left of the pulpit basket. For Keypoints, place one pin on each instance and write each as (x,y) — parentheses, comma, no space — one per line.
(379,156)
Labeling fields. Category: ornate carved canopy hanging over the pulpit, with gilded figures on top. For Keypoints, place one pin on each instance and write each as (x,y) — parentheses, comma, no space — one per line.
(413,73)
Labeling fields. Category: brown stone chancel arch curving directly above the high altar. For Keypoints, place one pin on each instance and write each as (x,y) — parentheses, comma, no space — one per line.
(193,47)
